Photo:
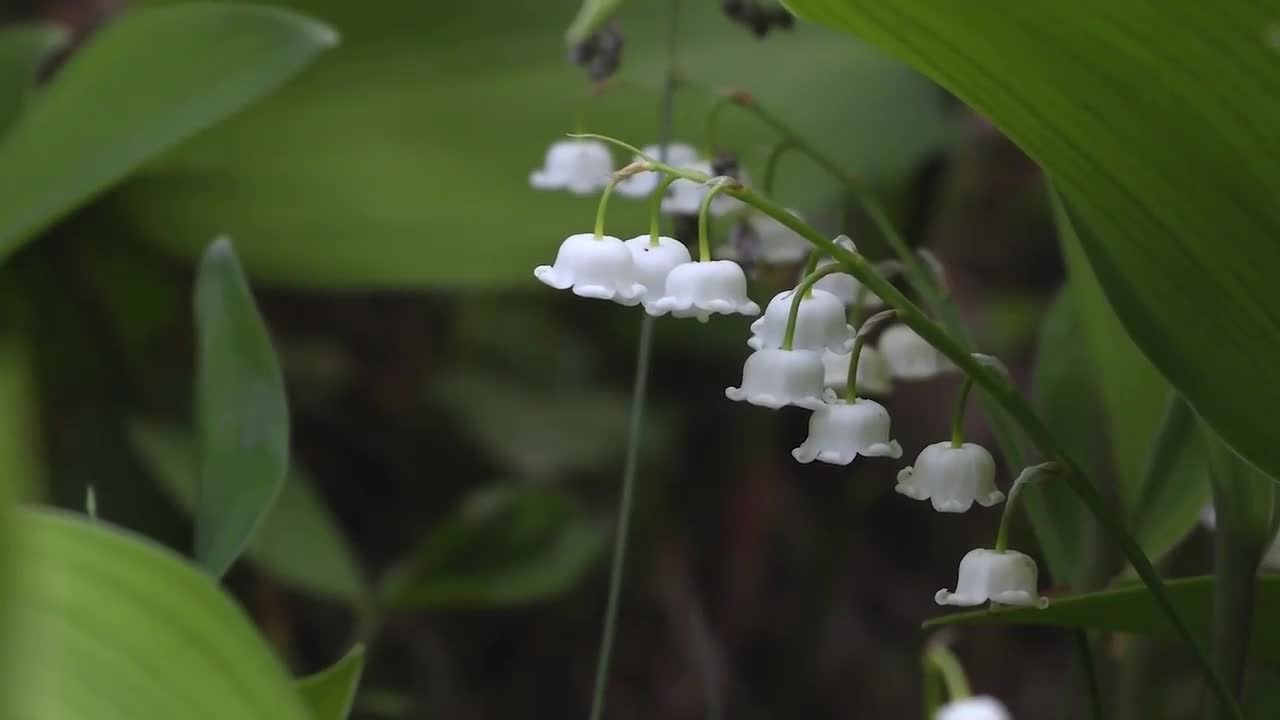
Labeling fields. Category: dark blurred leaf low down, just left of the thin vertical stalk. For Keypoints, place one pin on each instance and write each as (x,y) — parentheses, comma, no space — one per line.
(504,546)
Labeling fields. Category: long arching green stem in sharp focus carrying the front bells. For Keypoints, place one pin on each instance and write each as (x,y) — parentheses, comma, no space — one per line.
(1008,398)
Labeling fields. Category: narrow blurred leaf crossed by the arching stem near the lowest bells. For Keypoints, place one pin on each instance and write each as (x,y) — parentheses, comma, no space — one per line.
(1066,393)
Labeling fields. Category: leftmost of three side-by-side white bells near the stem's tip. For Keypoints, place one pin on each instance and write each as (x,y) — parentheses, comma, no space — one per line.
(595,267)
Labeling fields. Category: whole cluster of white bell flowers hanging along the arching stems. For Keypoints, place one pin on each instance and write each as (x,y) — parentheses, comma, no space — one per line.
(810,349)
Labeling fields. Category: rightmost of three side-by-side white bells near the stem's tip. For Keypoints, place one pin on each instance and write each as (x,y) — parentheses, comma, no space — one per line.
(698,290)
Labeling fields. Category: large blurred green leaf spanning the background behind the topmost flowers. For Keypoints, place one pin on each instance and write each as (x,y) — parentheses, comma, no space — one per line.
(403,160)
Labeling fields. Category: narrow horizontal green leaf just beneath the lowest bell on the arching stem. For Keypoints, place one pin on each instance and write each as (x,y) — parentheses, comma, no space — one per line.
(1131,610)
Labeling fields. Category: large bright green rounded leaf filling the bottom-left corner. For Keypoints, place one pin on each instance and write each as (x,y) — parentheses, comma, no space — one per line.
(113,627)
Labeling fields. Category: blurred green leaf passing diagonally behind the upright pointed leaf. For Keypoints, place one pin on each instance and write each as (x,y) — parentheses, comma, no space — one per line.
(300,543)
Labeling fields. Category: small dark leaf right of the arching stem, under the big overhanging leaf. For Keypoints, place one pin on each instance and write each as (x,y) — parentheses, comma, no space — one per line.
(1176,484)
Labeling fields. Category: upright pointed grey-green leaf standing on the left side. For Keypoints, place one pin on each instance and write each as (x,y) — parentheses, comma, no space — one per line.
(244,418)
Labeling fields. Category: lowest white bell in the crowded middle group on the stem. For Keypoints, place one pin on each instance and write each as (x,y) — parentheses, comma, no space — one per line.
(842,431)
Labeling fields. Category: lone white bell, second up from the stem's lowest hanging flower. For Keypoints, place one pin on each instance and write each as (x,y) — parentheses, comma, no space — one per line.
(953,479)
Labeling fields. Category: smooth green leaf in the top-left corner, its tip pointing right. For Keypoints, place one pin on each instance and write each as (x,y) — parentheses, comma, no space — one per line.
(149,80)
